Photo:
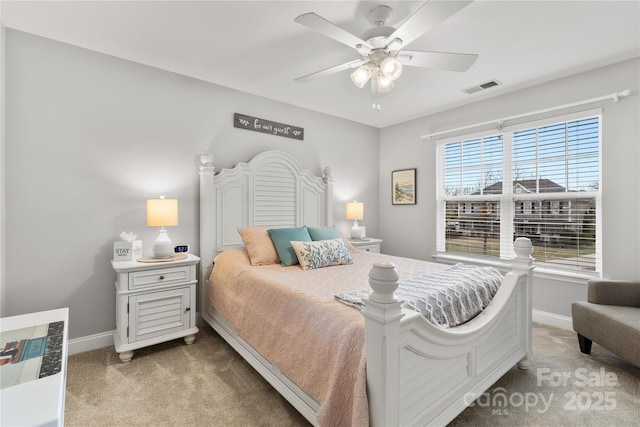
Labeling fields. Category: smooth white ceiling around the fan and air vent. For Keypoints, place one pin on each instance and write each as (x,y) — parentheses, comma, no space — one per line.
(257,47)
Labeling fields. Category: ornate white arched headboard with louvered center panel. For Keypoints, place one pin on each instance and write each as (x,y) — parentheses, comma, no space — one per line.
(271,190)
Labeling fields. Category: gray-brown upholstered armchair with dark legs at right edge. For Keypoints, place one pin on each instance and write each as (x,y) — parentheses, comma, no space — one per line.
(610,317)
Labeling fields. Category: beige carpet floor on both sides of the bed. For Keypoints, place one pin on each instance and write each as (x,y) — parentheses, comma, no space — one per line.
(208,384)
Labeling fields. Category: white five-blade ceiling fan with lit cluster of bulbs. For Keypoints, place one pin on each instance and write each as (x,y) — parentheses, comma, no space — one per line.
(381,48)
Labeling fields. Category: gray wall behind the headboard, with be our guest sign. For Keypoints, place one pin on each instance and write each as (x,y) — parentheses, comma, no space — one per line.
(90,137)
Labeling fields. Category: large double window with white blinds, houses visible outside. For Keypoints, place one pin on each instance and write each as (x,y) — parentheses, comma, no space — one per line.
(538,180)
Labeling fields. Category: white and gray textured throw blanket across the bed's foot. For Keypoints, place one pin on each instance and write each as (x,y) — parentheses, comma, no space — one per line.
(446,298)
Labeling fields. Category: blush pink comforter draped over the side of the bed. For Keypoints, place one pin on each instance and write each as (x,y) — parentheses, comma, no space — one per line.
(291,317)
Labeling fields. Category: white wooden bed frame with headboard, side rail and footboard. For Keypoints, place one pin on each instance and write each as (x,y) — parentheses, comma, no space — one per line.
(417,373)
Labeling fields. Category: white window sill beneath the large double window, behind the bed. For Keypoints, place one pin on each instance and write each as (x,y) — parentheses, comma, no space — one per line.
(541,271)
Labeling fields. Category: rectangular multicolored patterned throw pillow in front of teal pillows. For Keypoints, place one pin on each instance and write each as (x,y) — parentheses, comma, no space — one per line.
(321,253)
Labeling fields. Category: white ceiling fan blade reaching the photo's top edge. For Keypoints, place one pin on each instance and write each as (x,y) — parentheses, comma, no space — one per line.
(430,14)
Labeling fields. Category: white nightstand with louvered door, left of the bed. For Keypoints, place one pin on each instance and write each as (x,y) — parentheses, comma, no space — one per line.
(155,302)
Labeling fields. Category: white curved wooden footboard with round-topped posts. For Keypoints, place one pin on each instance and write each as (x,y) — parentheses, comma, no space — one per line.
(420,374)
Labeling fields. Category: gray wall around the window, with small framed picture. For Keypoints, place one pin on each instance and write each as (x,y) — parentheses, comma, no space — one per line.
(410,230)
